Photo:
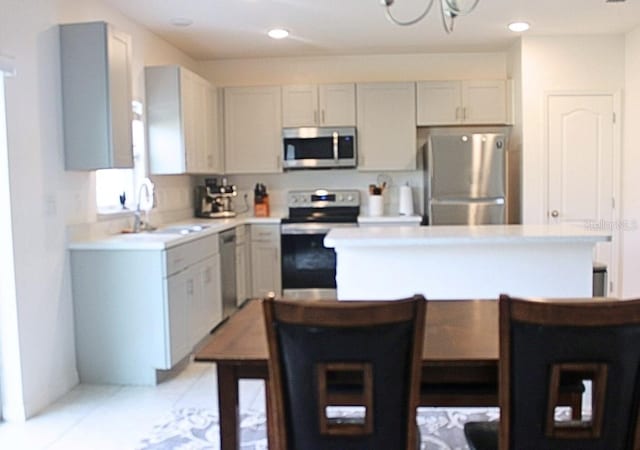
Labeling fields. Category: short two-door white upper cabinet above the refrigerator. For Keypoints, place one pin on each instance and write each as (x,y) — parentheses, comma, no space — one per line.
(462,102)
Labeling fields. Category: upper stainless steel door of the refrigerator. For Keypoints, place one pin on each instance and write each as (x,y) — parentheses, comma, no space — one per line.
(466,166)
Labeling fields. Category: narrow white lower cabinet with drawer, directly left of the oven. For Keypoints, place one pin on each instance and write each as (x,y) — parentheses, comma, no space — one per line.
(266,273)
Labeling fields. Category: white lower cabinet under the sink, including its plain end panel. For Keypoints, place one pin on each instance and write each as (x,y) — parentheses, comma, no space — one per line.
(139,312)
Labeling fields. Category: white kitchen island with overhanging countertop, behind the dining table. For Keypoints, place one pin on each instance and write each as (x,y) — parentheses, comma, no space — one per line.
(456,262)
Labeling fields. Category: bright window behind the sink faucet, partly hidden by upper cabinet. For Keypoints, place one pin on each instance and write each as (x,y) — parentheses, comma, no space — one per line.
(111,184)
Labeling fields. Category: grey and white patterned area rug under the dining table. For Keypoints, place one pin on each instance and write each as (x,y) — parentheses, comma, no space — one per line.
(198,429)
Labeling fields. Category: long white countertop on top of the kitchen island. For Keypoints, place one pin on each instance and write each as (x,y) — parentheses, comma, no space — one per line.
(460,234)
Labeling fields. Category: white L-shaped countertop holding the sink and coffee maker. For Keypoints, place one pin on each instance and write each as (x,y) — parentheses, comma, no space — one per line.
(157,240)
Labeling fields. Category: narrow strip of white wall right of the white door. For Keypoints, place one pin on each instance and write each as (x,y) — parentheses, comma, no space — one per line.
(631,169)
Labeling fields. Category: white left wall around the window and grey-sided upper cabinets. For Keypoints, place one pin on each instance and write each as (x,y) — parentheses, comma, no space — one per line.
(45,198)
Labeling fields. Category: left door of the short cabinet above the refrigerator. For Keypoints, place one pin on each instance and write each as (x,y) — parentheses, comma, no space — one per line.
(438,103)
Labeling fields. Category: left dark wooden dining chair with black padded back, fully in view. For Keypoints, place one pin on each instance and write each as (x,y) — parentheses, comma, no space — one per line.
(363,354)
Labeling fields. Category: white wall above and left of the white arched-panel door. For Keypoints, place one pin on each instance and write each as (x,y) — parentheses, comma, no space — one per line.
(581,63)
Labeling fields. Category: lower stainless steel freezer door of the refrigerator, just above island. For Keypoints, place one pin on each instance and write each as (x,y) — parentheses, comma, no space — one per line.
(483,212)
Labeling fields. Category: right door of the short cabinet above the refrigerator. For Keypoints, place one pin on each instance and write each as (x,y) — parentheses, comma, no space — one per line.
(485,102)
